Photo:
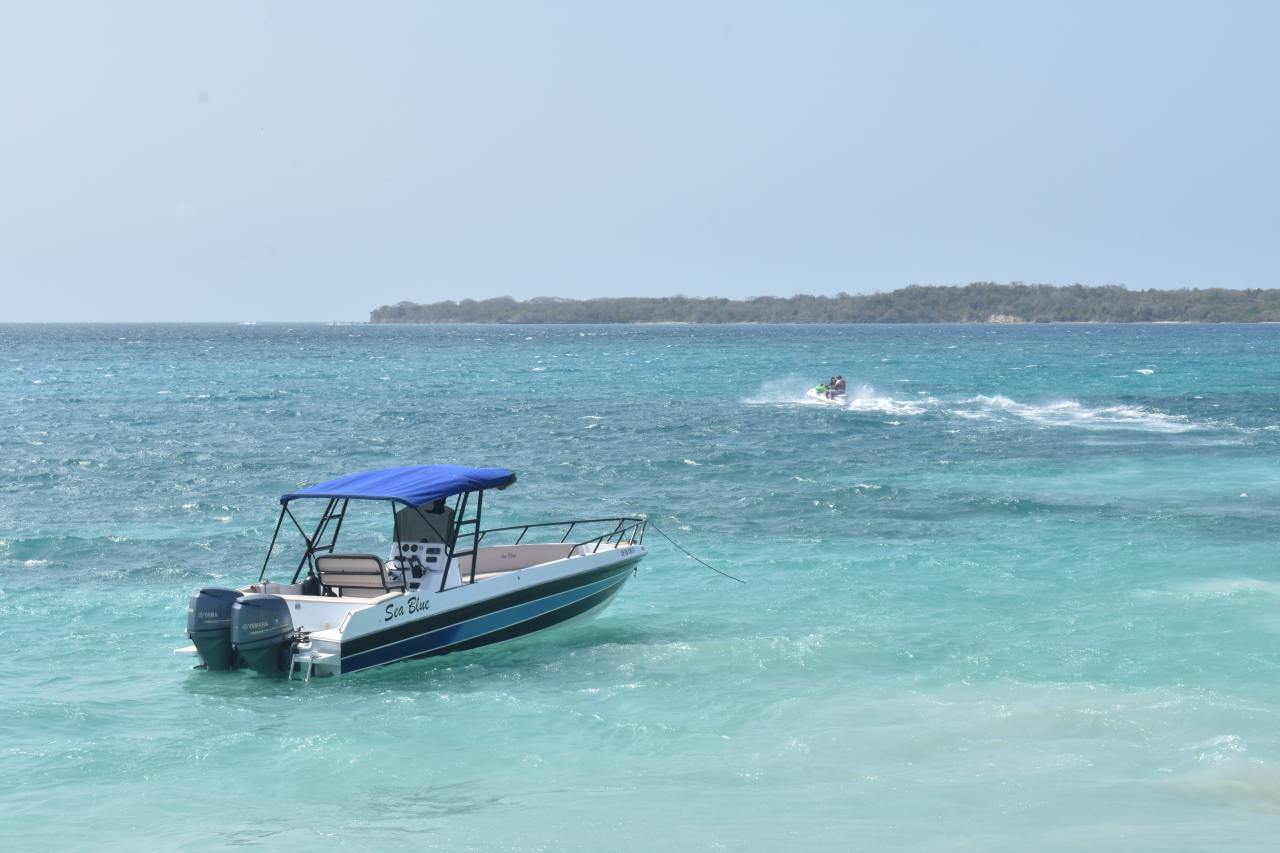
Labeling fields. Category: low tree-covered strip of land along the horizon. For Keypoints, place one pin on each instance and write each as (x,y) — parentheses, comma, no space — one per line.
(977,303)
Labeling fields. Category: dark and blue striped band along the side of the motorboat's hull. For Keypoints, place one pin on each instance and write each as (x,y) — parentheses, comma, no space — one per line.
(504,624)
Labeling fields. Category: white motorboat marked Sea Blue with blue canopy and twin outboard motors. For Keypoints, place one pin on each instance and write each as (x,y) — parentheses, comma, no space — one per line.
(447,583)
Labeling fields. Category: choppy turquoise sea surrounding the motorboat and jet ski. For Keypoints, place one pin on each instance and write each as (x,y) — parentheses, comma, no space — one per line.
(1021,594)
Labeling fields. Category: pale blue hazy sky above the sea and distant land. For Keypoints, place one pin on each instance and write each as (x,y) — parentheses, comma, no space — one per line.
(314,161)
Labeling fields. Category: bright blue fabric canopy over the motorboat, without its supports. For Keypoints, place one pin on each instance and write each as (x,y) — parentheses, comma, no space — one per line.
(414,485)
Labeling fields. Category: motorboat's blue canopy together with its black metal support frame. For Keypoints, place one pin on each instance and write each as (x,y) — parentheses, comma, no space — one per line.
(414,486)
